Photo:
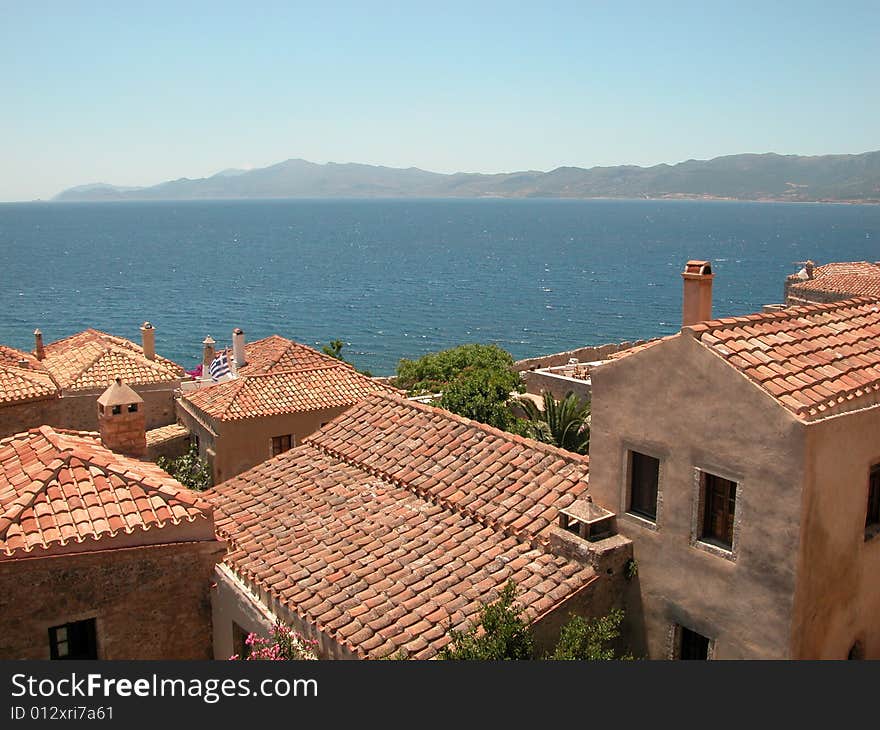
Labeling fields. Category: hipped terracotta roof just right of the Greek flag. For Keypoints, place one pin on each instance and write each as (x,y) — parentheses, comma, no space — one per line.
(284,377)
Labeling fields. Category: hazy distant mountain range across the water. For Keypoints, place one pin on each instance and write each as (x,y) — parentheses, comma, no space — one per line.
(839,178)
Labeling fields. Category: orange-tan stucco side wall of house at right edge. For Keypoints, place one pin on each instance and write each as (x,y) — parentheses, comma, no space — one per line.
(838,590)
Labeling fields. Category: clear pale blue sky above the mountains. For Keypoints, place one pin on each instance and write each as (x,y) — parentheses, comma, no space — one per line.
(134,94)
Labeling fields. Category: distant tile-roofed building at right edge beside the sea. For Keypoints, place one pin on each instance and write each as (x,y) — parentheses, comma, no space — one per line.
(832,282)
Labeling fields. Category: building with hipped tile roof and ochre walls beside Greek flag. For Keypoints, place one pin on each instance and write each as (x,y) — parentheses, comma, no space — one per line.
(282,392)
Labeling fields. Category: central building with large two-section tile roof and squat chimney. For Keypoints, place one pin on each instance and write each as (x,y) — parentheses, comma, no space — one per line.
(397,520)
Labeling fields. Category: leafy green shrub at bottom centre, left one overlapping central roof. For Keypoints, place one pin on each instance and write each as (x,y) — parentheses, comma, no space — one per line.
(504,635)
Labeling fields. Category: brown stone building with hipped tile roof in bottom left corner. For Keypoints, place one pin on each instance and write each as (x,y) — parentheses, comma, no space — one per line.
(102,556)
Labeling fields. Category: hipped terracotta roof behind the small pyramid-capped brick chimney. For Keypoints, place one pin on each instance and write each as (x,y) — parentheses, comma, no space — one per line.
(93,359)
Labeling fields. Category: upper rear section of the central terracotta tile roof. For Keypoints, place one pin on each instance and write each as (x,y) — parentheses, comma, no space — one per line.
(510,483)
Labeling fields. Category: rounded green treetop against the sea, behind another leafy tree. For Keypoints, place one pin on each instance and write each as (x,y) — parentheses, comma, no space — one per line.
(437,370)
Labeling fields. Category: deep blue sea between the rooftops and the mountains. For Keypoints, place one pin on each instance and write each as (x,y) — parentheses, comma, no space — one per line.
(400,278)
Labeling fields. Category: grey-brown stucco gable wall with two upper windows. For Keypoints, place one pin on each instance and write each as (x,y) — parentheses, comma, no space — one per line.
(678,402)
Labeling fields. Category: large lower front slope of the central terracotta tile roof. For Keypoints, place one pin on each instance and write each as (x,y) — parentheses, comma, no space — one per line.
(371,564)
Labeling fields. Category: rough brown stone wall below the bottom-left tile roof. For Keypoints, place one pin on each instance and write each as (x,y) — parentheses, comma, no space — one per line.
(149,602)
